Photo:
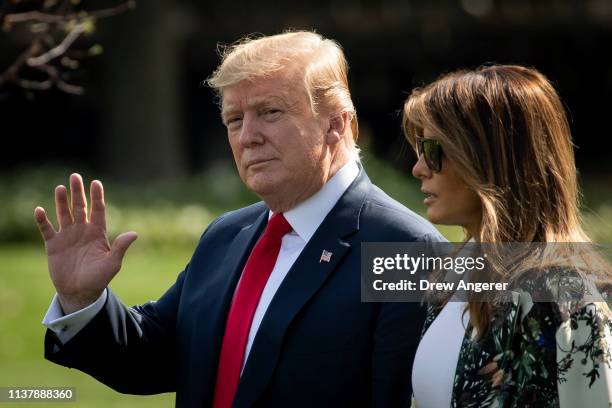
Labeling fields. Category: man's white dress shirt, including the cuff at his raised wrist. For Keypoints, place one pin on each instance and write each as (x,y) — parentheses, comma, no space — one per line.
(305,219)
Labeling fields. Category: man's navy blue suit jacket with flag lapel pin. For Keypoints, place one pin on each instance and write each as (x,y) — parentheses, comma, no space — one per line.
(318,344)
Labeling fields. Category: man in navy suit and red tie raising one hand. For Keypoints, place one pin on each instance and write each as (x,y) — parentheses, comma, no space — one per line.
(268,311)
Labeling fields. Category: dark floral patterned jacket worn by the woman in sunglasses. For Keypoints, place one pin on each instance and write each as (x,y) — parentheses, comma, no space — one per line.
(544,355)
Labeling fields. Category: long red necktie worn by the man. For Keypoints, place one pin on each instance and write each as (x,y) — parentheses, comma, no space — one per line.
(252,283)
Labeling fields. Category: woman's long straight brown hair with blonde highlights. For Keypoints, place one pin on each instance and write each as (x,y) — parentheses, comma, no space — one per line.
(504,129)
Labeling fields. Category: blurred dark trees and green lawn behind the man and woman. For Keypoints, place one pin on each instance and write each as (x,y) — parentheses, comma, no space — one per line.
(124,103)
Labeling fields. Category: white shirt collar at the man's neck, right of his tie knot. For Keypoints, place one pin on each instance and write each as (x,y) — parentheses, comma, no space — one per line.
(306,217)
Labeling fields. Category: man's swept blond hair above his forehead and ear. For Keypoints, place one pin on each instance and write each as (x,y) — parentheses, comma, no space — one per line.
(319,61)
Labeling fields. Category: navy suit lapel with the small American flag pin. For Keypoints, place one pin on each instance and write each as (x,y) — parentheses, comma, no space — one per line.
(303,280)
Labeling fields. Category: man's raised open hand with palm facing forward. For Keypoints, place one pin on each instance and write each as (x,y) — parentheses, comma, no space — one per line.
(81,260)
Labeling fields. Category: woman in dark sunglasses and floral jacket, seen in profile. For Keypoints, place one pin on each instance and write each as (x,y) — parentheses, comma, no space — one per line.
(495,157)
